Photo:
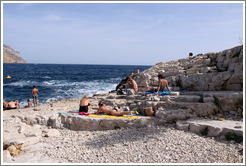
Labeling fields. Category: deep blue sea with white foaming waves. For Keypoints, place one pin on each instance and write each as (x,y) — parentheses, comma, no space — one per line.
(61,81)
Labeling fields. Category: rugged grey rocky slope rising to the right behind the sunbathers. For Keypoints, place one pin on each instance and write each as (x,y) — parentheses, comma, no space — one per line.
(203,72)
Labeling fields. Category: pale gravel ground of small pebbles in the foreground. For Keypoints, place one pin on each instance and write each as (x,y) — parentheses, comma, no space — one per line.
(163,144)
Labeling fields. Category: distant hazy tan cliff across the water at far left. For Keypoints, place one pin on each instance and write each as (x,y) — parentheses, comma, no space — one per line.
(11,56)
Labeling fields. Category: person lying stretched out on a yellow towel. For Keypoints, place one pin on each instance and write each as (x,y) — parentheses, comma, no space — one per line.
(105,109)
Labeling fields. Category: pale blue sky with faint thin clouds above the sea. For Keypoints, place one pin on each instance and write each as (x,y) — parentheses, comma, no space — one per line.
(128,34)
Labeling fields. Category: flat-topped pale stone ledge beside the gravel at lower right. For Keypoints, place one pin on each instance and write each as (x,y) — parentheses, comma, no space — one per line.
(215,128)
